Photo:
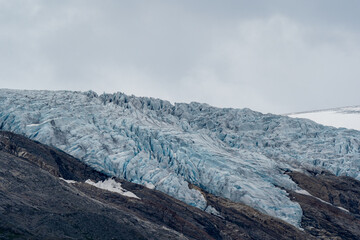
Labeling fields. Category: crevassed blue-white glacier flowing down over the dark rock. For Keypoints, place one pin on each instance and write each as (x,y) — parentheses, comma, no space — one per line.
(238,154)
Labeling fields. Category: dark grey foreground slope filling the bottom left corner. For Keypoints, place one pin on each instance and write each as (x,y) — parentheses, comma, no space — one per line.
(36,205)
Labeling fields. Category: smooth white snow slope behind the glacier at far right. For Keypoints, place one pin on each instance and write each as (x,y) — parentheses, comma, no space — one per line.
(347,117)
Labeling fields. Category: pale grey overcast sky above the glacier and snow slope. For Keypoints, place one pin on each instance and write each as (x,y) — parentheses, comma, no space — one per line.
(271,56)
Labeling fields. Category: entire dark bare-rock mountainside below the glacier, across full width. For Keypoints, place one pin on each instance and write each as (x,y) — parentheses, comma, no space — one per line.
(36,204)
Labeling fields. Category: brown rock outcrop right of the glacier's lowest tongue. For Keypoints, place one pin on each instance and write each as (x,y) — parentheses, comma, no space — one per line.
(332,212)
